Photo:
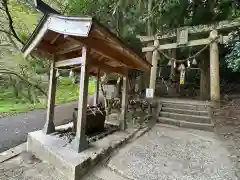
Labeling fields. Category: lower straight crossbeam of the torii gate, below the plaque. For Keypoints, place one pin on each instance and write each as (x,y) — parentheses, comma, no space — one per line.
(198,42)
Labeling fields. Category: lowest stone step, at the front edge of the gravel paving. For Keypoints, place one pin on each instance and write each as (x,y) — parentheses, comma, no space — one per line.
(186,124)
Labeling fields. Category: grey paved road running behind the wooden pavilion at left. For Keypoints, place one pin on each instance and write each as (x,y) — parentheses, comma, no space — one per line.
(14,129)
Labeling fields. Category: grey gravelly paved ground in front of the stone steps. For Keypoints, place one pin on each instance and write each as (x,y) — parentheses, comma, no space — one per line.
(169,153)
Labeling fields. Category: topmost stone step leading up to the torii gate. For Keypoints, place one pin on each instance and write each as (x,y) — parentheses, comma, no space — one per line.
(194,107)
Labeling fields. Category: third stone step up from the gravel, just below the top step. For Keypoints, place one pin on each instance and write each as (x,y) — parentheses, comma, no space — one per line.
(185,111)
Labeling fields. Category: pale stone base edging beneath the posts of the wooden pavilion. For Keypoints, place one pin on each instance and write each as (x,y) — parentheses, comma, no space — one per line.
(75,167)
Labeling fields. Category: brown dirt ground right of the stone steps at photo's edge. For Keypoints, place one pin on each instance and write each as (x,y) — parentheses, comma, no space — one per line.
(227,121)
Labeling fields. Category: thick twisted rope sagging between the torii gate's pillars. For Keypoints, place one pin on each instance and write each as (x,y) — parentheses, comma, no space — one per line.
(191,57)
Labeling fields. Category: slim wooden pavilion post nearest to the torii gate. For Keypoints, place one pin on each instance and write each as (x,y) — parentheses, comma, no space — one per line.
(123,120)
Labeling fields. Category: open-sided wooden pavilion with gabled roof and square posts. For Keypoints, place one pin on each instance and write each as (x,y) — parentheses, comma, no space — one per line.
(82,44)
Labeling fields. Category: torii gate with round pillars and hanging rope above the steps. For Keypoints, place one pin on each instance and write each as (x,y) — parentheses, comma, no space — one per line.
(209,36)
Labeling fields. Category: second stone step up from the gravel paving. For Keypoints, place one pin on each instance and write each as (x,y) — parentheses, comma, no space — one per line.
(186,117)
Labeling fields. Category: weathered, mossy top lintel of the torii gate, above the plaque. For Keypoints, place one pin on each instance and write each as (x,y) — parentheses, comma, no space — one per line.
(222,25)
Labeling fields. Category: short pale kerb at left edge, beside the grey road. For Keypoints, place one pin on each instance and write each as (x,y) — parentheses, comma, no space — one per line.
(13,152)
